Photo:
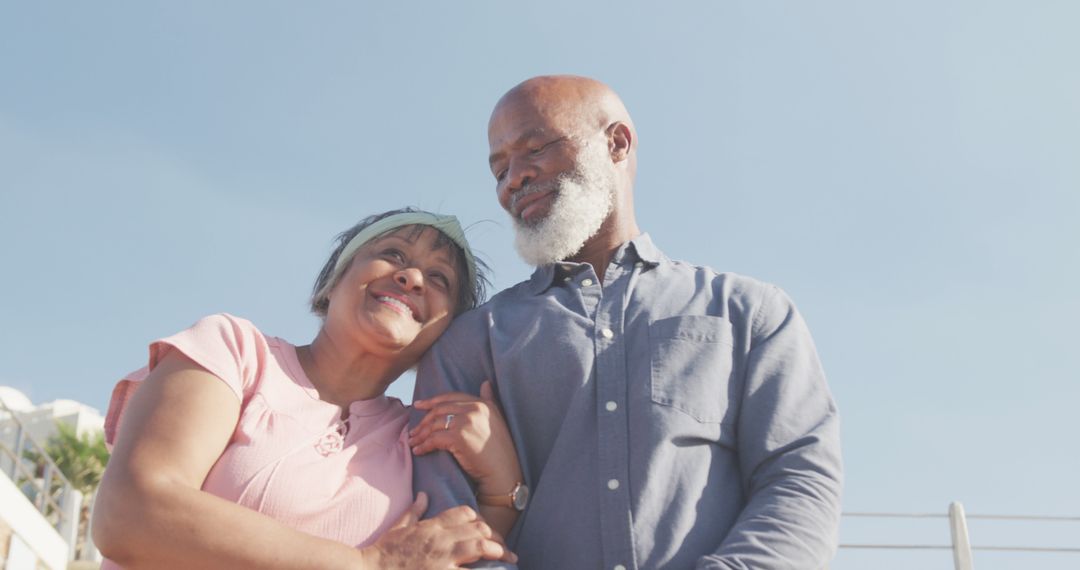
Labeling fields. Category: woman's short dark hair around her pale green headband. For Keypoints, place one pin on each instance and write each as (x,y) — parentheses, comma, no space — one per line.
(469,294)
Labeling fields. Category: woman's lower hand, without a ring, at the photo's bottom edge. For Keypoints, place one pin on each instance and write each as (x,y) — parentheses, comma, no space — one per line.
(454,538)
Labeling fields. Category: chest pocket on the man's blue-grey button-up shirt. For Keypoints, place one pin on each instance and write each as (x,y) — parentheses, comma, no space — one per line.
(692,365)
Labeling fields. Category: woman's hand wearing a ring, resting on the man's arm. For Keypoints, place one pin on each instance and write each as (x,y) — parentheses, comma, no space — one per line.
(477,436)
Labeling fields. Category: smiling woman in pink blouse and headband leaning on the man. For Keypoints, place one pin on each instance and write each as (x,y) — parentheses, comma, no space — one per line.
(241,451)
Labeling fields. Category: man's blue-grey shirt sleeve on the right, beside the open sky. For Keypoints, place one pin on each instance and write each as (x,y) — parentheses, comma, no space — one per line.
(790,451)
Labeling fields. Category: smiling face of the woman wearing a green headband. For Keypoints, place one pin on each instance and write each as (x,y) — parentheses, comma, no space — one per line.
(398,295)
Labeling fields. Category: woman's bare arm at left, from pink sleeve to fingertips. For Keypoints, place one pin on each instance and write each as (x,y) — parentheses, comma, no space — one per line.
(151,511)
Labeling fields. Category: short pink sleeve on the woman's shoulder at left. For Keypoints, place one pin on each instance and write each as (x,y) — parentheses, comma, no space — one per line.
(227,347)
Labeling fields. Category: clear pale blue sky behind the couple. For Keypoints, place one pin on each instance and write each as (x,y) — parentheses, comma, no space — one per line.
(908,172)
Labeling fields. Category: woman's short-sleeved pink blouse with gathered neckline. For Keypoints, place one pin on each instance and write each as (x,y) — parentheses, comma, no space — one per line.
(292,457)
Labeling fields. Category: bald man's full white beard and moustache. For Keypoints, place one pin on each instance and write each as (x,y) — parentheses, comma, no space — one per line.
(585,198)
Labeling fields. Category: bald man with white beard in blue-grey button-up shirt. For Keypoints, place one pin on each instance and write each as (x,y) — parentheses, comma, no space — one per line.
(667,416)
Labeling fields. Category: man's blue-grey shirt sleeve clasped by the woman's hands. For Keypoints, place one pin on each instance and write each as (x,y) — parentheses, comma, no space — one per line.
(460,362)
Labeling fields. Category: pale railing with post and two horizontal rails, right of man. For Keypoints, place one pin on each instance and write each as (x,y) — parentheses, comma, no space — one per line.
(961,546)
